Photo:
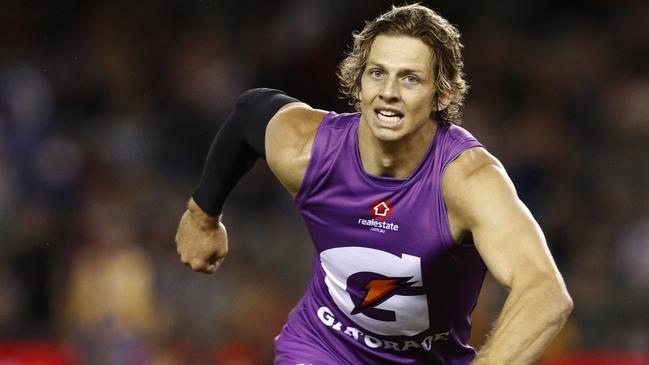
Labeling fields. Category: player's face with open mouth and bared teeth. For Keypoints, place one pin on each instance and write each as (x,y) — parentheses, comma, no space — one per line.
(397,87)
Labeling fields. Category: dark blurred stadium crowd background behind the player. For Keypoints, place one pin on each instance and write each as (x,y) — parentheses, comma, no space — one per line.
(107,109)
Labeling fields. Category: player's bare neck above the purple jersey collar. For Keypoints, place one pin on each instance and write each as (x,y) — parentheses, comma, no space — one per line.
(397,159)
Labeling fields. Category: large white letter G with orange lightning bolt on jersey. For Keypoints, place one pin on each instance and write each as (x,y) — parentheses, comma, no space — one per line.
(379,291)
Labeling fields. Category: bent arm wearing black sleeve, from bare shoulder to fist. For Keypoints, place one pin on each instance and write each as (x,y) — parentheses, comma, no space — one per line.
(201,239)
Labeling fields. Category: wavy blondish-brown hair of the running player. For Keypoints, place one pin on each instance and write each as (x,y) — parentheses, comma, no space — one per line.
(419,22)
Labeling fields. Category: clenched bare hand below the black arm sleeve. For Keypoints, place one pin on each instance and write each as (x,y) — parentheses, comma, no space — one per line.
(201,240)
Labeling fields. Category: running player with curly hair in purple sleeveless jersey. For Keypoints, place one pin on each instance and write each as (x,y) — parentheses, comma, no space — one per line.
(393,197)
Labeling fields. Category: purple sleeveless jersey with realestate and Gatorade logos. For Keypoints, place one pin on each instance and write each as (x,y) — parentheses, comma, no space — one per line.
(389,286)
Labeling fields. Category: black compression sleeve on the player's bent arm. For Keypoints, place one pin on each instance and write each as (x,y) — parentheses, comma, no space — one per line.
(237,145)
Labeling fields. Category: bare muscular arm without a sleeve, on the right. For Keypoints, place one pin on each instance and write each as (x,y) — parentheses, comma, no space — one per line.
(481,199)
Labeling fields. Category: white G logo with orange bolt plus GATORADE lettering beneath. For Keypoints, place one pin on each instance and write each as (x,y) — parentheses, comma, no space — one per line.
(382,294)
